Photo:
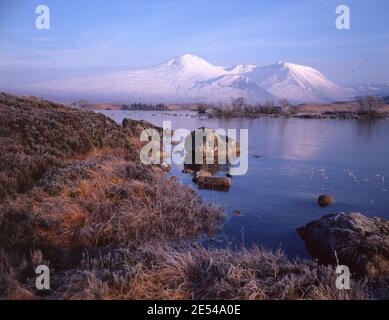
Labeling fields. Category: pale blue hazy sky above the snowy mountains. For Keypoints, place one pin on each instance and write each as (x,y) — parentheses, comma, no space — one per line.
(89,36)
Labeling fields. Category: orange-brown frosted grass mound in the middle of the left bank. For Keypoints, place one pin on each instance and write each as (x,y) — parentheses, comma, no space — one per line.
(97,203)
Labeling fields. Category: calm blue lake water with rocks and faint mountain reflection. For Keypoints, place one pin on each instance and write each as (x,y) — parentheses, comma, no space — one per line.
(299,160)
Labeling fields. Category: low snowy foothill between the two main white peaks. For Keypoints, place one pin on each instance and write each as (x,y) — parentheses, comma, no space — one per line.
(227,87)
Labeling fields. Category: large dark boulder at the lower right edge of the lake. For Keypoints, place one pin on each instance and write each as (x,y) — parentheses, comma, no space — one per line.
(360,242)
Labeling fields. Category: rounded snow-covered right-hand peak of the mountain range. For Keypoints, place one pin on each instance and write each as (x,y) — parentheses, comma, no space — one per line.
(297,83)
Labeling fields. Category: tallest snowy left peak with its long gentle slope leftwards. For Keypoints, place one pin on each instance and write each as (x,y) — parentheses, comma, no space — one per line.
(167,82)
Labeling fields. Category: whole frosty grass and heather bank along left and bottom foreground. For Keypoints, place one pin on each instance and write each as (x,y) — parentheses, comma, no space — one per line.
(74,196)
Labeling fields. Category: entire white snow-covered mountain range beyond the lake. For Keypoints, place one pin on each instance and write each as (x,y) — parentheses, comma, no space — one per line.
(189,78)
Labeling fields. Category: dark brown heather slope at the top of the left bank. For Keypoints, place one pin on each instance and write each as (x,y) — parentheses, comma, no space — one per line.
(36,135)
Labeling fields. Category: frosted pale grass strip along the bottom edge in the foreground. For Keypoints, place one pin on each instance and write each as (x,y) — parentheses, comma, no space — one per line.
(157,272)
